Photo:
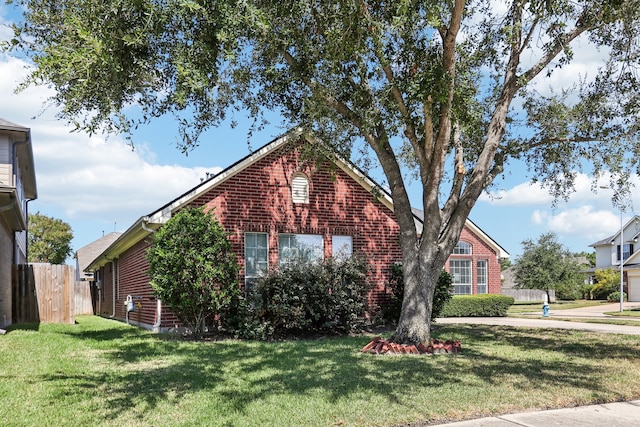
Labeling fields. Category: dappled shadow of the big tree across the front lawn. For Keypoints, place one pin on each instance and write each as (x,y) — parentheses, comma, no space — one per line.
(145,370)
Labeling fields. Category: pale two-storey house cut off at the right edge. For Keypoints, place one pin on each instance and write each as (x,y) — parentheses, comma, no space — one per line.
(608,253)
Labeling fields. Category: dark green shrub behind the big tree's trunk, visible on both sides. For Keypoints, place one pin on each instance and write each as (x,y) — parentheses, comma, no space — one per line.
(395,288)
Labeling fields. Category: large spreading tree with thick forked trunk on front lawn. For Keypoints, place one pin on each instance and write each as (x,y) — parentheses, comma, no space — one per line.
(443,92)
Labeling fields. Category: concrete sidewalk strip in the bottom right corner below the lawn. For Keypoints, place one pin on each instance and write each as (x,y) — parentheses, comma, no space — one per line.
(619,414)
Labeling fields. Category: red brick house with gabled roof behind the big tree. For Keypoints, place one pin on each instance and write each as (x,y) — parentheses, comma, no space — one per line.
(274,203)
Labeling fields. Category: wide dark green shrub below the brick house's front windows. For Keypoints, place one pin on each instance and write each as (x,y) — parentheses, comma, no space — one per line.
(303,298)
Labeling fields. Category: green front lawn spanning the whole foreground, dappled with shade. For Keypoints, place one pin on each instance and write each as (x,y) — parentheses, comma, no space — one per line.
(101,372)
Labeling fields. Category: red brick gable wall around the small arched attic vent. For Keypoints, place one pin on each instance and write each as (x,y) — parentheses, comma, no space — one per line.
(259,199)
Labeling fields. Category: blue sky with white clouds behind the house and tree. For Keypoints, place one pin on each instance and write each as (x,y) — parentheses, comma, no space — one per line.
(99,184)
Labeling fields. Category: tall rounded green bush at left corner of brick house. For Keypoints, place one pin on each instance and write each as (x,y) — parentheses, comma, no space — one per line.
(192,268)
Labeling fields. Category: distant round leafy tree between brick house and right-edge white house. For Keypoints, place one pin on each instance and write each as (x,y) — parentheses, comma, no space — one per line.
(547,264)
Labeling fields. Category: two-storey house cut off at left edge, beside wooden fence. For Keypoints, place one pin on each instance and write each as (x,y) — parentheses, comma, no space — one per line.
(17,188)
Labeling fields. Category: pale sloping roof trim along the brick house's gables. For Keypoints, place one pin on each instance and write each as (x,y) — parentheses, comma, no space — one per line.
(151,222)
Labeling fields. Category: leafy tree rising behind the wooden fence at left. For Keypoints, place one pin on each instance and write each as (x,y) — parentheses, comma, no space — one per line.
(49,239)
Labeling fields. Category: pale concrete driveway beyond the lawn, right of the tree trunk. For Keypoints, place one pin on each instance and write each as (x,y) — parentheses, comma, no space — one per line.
(535,320)
